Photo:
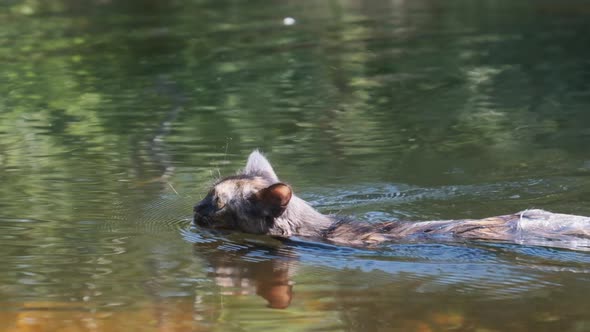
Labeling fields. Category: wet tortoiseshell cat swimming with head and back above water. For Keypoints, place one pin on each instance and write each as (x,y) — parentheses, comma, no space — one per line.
(256,201)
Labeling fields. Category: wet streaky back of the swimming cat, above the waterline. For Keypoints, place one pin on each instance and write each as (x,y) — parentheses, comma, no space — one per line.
(529,226)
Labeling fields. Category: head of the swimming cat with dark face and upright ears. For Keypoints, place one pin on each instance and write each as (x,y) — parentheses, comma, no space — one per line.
(249,202)
